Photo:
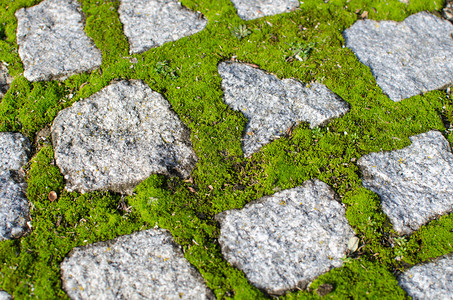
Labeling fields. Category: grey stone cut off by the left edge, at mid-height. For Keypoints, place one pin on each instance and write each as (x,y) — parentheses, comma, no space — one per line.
(14,211)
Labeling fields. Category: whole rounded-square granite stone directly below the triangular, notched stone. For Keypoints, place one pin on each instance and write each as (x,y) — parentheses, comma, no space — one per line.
(284,241)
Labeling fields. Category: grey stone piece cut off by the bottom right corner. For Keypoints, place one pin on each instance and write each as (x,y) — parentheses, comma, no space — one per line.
(429,281)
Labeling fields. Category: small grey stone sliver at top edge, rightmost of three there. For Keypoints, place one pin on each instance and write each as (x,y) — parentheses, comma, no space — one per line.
(252,9)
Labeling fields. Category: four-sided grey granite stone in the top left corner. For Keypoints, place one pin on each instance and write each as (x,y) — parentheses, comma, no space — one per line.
(52,41)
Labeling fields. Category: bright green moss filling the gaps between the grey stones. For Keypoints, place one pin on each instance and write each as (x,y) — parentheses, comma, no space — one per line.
(185,72)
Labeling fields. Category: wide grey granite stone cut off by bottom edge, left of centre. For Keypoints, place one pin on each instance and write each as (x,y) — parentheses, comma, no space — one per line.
(143,265)
